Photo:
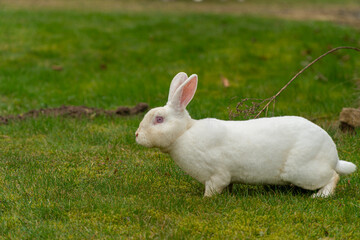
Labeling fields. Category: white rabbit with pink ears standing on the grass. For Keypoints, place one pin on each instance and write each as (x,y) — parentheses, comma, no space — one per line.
(277,150)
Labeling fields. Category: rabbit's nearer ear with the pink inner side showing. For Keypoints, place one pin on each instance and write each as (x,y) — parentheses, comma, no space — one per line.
(184,93)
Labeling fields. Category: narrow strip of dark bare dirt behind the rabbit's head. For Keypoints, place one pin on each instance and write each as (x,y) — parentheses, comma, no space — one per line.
(76,111)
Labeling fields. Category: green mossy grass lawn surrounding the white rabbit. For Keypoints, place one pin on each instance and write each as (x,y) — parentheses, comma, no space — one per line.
(85,178)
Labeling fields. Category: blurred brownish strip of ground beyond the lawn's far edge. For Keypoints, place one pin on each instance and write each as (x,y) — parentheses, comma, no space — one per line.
(340,13)
